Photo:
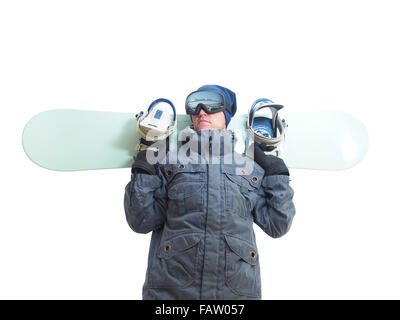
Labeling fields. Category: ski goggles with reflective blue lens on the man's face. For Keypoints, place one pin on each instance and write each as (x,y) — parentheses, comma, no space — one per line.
(210,101)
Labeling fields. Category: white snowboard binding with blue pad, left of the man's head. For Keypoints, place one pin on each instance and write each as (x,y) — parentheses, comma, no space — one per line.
(156,124)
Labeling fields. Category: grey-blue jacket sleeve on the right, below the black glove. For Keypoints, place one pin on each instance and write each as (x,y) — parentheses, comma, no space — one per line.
(274,209)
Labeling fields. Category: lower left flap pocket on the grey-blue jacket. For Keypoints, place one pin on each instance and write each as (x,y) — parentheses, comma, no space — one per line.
(176,262)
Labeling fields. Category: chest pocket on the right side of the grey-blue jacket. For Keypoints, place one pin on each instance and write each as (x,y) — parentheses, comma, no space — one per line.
(241,191)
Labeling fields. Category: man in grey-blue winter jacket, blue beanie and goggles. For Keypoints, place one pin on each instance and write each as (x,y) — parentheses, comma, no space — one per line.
(201,208)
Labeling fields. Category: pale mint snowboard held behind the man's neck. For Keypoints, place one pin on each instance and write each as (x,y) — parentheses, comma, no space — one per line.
(70,140)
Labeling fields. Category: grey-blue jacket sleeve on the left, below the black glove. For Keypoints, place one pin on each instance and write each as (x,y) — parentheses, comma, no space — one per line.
(145,202)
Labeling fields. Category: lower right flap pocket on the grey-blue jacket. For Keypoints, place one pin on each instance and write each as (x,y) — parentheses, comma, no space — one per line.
(242,269)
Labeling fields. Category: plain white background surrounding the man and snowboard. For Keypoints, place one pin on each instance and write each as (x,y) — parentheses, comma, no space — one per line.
(64,235)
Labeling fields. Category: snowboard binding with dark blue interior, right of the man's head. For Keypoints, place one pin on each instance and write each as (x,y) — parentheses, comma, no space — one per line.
(267,131)
